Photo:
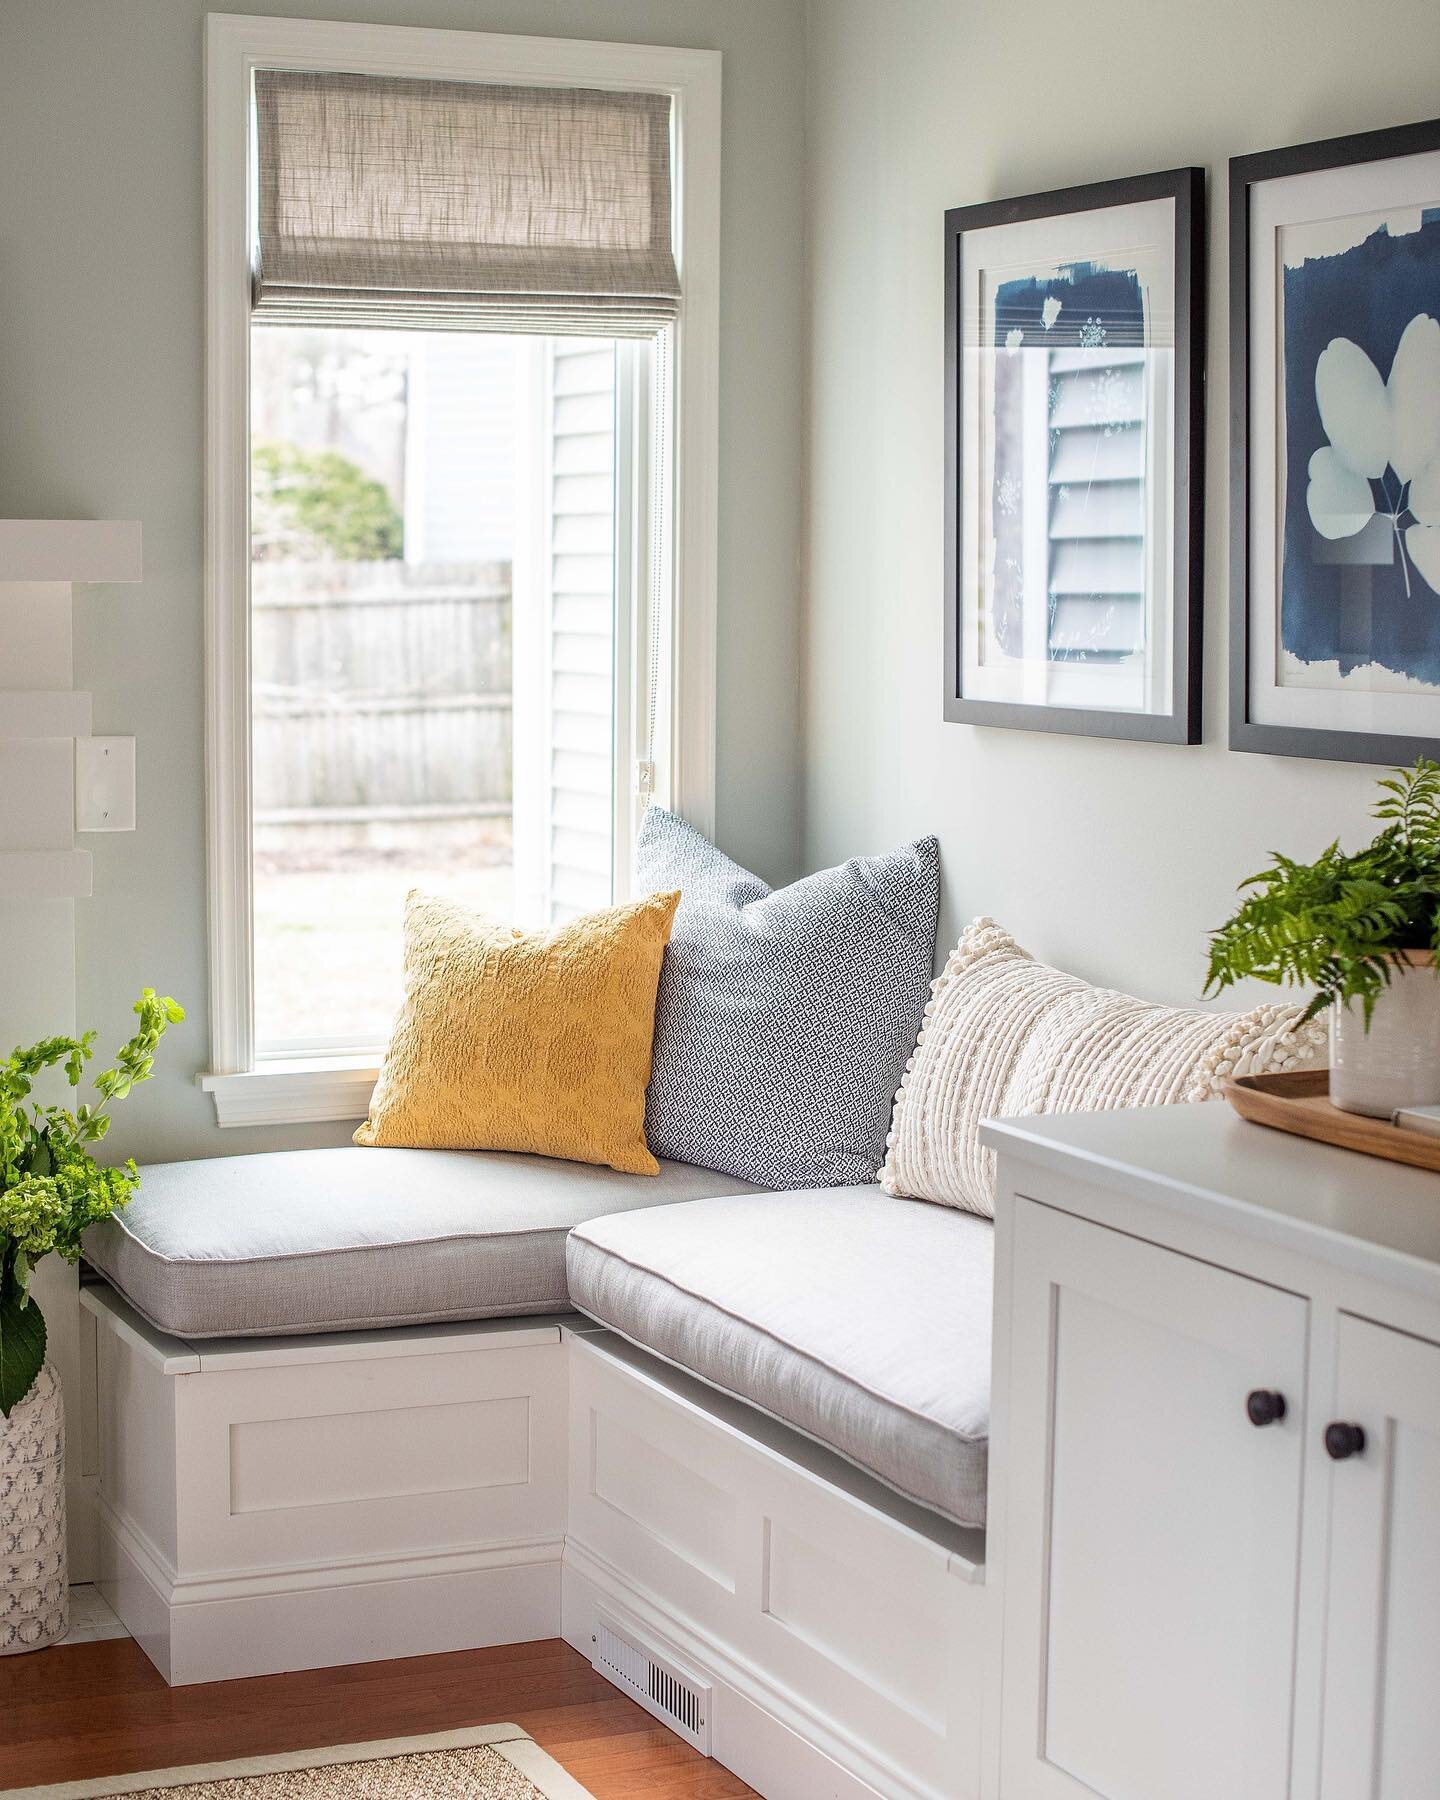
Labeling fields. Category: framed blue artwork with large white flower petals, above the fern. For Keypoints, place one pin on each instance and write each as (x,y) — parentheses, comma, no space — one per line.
(1335,307)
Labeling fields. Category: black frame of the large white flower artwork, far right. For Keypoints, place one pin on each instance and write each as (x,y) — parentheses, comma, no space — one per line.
(1246,174)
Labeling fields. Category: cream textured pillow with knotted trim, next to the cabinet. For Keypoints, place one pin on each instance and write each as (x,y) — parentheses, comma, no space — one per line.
(1007,1036)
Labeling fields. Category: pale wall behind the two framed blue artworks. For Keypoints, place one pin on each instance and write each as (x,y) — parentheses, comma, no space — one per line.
(1108,858)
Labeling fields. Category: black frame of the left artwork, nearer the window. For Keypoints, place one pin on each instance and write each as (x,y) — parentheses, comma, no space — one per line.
(1183,723)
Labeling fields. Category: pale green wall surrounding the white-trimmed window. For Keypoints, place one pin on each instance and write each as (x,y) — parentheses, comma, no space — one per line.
(102,417)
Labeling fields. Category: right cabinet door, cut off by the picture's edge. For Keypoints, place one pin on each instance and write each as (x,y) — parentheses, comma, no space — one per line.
(1383,1630)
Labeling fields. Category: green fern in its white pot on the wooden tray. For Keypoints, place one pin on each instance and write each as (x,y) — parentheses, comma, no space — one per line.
(1362,930)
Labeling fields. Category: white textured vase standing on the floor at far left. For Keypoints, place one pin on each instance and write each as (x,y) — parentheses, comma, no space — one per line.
(35,1599)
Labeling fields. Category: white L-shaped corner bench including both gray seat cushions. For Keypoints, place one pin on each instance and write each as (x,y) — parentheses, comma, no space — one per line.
(751,1563)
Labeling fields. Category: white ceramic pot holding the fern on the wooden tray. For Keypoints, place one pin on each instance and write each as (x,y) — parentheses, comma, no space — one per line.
(1398,1063)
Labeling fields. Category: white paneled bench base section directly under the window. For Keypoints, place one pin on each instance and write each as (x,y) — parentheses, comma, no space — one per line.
(303,1502)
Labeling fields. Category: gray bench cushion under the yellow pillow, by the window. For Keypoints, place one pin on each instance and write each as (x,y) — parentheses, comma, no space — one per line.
(321,1241)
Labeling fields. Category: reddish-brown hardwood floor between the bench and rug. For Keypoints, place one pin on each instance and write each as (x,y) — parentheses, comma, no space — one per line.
(102,1709)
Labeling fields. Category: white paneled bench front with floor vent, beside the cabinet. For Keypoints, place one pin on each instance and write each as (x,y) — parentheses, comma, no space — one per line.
(840,1626)
